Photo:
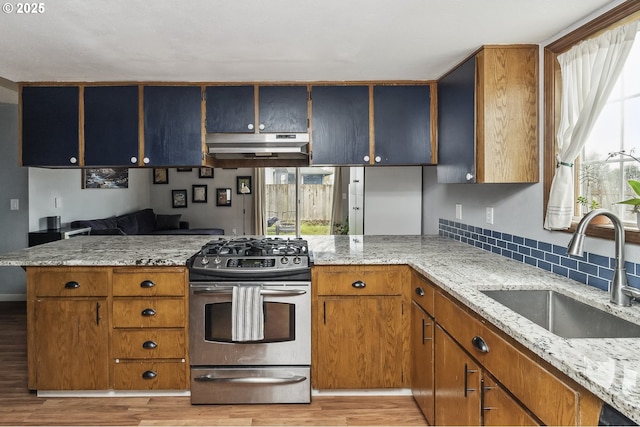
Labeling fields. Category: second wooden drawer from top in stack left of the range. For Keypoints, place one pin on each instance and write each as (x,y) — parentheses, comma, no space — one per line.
(145,313)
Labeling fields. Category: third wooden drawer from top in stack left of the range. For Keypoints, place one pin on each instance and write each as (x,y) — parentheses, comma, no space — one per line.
(149,344)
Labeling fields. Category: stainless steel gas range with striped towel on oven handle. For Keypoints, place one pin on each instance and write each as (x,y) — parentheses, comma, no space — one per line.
(250,321)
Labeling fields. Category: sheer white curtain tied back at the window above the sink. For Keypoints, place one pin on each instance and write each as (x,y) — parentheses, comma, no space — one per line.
(589,72)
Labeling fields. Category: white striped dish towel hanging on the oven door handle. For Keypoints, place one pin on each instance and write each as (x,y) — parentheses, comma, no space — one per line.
(247,314)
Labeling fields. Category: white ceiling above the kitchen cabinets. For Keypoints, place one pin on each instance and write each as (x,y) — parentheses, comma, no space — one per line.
(268,40)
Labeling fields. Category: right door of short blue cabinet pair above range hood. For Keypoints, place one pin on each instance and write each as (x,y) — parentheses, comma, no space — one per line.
(283,109)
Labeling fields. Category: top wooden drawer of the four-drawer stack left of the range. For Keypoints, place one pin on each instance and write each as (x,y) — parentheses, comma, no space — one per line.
(150,282)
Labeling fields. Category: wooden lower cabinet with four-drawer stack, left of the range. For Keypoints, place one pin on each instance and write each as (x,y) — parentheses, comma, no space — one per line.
(99,328)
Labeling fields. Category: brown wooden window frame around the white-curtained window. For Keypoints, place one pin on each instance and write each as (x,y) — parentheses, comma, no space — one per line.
(552,90)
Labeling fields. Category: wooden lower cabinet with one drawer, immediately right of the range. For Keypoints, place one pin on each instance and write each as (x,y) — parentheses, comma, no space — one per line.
(360,337)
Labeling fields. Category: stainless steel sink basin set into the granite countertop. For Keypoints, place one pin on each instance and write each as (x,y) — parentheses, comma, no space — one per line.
(563,315)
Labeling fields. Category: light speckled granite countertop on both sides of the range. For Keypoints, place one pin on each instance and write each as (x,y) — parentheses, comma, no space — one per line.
(610,368)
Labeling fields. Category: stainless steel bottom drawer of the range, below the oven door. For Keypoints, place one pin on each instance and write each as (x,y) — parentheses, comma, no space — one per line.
(251,385)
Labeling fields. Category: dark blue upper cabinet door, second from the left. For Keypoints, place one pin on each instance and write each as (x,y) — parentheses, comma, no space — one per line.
(111,126)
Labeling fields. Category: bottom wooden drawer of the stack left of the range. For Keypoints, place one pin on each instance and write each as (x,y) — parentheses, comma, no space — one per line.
(169,375)
